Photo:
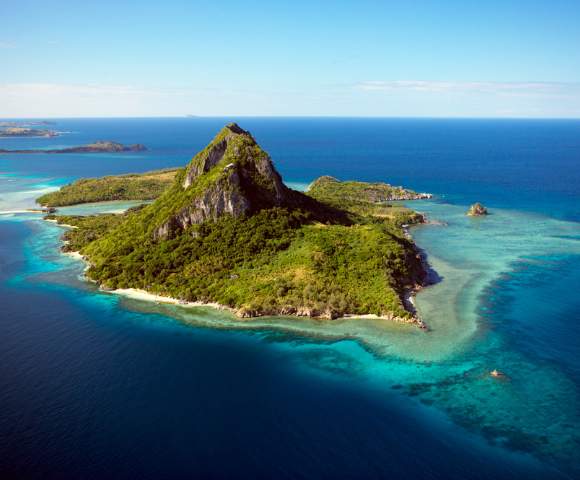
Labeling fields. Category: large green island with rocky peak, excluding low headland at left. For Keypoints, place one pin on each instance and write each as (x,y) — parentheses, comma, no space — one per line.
(228,232)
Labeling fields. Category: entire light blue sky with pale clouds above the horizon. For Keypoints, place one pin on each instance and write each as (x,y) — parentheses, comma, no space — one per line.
(352,58)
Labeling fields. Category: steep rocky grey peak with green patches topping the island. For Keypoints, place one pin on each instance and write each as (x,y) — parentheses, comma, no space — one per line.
(231,176)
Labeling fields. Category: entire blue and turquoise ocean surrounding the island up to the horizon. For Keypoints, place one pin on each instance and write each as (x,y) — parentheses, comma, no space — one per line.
(94,385)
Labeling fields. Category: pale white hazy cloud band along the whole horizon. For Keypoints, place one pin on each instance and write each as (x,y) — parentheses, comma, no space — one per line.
(371,98)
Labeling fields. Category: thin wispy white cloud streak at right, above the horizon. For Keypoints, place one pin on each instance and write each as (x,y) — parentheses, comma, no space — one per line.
(498,88)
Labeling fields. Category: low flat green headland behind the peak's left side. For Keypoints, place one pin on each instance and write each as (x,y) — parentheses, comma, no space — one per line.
(143,186)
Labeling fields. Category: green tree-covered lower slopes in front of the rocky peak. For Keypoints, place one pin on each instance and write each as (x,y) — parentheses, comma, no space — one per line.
(269,263)
